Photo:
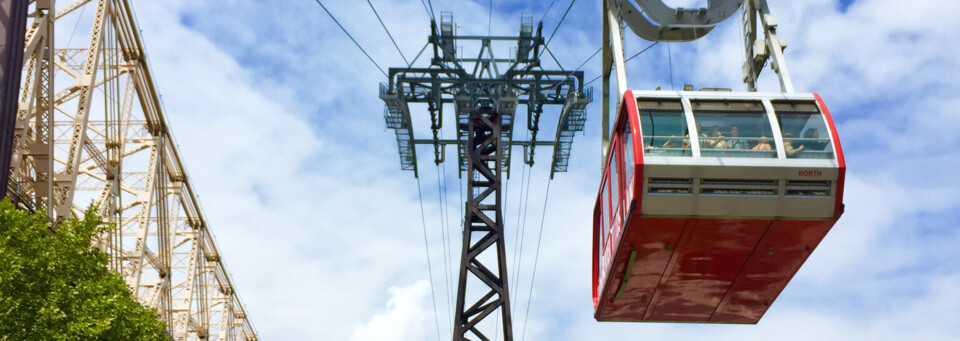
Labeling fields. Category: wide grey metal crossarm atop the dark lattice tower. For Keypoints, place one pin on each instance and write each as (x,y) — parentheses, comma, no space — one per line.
(531,88)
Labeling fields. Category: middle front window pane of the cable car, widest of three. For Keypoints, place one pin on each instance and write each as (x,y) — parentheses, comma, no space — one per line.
(733,129)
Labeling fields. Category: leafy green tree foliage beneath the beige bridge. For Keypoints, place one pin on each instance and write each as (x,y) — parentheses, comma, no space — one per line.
(54,286)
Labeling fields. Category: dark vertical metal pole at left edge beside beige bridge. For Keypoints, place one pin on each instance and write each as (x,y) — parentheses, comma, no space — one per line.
(13,24)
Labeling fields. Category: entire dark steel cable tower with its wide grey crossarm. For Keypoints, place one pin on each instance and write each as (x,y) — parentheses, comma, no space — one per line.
(485,101)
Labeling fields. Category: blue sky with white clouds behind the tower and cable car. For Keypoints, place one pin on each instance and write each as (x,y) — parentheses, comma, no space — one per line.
(277,116)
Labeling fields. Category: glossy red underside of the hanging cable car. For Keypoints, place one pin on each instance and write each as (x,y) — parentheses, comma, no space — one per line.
(704,270)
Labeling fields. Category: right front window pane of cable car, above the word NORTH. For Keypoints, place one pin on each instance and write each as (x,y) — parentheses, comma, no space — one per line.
(805,134)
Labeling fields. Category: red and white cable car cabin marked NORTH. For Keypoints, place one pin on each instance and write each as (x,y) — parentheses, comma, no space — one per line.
(711,226)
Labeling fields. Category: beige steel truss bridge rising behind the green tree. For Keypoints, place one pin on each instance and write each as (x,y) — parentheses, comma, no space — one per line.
(88,126)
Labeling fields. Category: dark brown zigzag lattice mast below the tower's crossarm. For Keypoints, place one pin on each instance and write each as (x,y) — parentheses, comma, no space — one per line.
(483,229)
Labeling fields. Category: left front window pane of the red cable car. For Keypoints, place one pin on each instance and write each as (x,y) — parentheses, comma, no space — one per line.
(664,128)
